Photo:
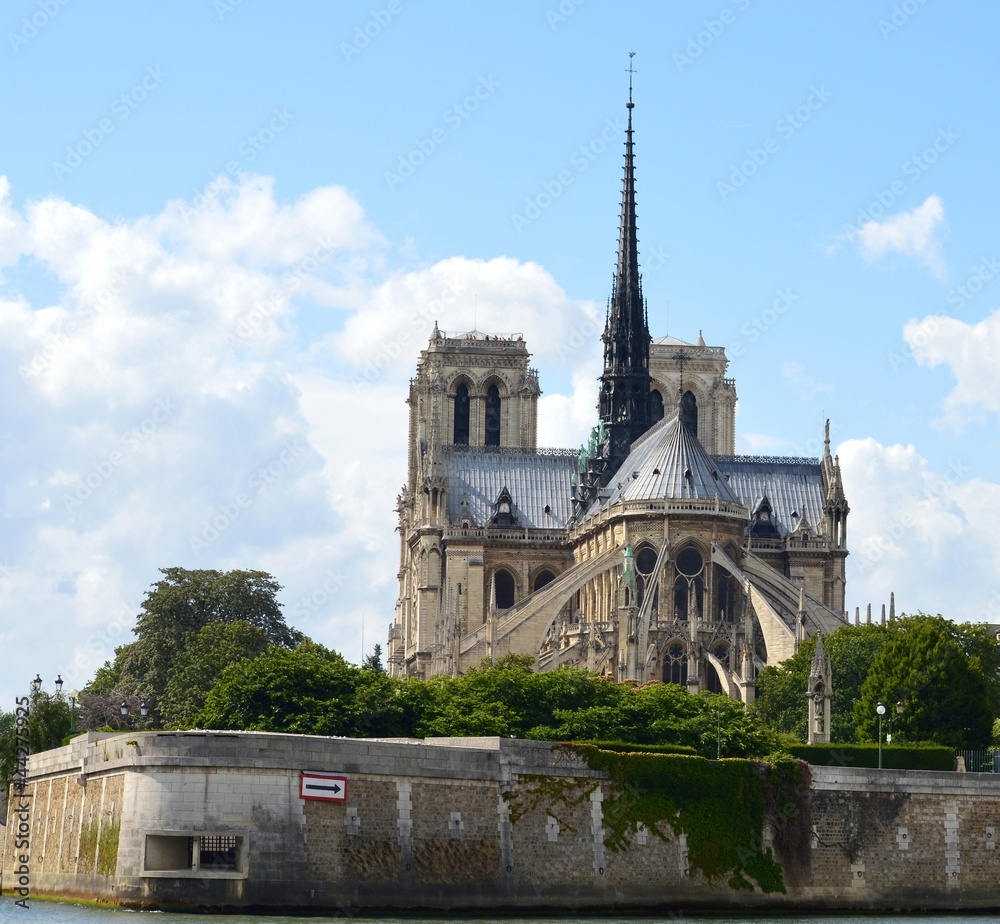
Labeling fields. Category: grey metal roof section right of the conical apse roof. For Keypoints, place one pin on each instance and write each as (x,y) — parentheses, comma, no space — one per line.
(793,486)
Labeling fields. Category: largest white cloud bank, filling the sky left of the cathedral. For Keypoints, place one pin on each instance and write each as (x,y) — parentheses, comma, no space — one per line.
(194,395)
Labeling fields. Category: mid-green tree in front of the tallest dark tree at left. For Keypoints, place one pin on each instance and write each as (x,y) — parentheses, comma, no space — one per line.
(200,663)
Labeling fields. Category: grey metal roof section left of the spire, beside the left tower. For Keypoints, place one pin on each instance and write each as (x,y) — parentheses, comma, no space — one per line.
(535,478)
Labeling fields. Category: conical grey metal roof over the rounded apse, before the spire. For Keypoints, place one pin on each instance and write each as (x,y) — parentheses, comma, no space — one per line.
(668,462)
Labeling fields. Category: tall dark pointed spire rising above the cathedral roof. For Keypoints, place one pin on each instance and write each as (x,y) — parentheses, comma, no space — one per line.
(624,398)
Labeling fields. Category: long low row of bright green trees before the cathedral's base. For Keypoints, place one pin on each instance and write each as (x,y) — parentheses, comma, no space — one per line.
(314,691)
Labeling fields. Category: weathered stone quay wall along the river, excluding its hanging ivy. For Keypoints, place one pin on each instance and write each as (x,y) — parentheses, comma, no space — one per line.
(216,820)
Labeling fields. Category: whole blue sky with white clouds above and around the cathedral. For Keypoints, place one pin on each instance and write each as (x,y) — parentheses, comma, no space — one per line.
(227,227)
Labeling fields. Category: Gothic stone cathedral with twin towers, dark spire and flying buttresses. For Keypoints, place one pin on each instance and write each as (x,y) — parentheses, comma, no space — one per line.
(653,552)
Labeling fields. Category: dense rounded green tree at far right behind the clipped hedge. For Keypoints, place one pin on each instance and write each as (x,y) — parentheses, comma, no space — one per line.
(926,665)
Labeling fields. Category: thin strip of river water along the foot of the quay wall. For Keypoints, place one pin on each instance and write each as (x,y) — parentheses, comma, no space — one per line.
(58,913)
